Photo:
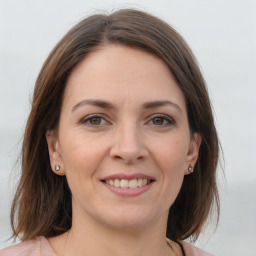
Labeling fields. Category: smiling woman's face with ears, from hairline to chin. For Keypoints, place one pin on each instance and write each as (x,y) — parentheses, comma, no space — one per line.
(123,140)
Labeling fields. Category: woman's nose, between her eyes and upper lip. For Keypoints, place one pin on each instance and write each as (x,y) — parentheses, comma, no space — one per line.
(128,145)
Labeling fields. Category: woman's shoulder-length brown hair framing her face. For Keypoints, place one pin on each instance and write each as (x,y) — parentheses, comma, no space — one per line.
(42,203)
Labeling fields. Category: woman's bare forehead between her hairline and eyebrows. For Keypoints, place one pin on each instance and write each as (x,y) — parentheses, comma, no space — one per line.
(120,72)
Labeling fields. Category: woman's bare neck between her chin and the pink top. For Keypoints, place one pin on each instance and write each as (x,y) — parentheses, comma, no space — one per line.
(92,238)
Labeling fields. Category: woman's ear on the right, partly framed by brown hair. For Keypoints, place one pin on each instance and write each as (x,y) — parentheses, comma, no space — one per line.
(193,151)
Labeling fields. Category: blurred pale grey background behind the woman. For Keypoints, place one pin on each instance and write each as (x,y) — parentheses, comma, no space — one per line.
(222,35)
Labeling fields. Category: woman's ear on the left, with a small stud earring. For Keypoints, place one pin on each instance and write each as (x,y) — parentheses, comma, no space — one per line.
(54,152)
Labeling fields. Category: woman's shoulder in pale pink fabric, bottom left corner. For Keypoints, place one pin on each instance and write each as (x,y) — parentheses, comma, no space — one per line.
(35,247)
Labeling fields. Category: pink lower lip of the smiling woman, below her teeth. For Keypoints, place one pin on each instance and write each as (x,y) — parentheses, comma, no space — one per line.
(129,192)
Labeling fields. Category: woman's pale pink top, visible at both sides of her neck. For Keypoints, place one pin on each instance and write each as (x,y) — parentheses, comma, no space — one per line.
(41,247)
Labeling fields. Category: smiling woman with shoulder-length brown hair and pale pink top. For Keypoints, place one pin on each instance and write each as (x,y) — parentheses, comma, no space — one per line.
(120,150)
